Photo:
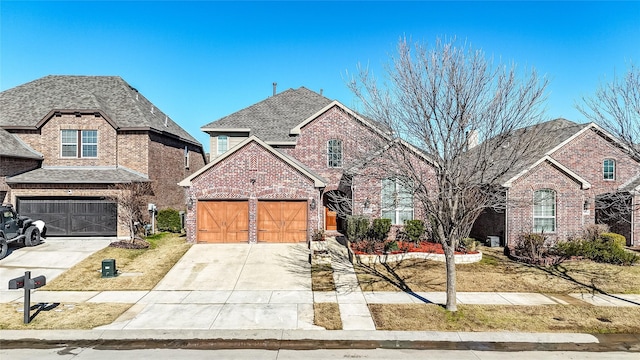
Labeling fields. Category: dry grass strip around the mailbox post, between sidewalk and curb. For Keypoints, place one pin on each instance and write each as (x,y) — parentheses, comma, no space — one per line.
(62,316)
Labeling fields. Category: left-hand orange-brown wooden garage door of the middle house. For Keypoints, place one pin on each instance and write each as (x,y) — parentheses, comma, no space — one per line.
(223,221)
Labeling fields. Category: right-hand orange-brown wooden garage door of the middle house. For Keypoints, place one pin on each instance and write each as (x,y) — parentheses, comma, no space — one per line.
(282,221)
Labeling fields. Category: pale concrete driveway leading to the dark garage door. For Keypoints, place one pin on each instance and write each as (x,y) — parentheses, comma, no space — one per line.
(50,258)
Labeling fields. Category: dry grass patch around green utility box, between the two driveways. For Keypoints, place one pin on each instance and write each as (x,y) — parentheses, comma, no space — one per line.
(147,266)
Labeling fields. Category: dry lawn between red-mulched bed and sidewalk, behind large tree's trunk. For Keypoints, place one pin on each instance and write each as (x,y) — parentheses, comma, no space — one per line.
(498,273)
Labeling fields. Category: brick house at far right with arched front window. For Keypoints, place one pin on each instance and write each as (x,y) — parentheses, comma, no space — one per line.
(579,175)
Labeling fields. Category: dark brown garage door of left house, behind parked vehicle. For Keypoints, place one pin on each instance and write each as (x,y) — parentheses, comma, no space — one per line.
(72,217)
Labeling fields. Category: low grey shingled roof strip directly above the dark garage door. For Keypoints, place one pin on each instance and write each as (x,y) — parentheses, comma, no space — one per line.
(77,175)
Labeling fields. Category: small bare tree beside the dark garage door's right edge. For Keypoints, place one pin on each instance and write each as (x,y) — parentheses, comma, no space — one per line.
(132,204)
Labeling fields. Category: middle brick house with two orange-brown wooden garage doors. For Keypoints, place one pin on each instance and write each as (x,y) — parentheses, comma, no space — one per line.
(284,168)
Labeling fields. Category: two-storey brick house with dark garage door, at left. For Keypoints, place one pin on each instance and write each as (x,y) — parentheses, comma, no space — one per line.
(72,138)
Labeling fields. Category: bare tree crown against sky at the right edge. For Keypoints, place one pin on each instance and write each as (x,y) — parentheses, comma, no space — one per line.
(616,107)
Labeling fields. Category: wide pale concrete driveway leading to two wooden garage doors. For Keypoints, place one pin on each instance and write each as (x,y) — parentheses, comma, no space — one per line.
(229,286)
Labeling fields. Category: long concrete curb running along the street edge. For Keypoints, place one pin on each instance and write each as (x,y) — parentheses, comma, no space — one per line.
(310,340)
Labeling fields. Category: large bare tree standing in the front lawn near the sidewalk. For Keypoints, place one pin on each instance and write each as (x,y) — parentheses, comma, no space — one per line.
(451,103)
